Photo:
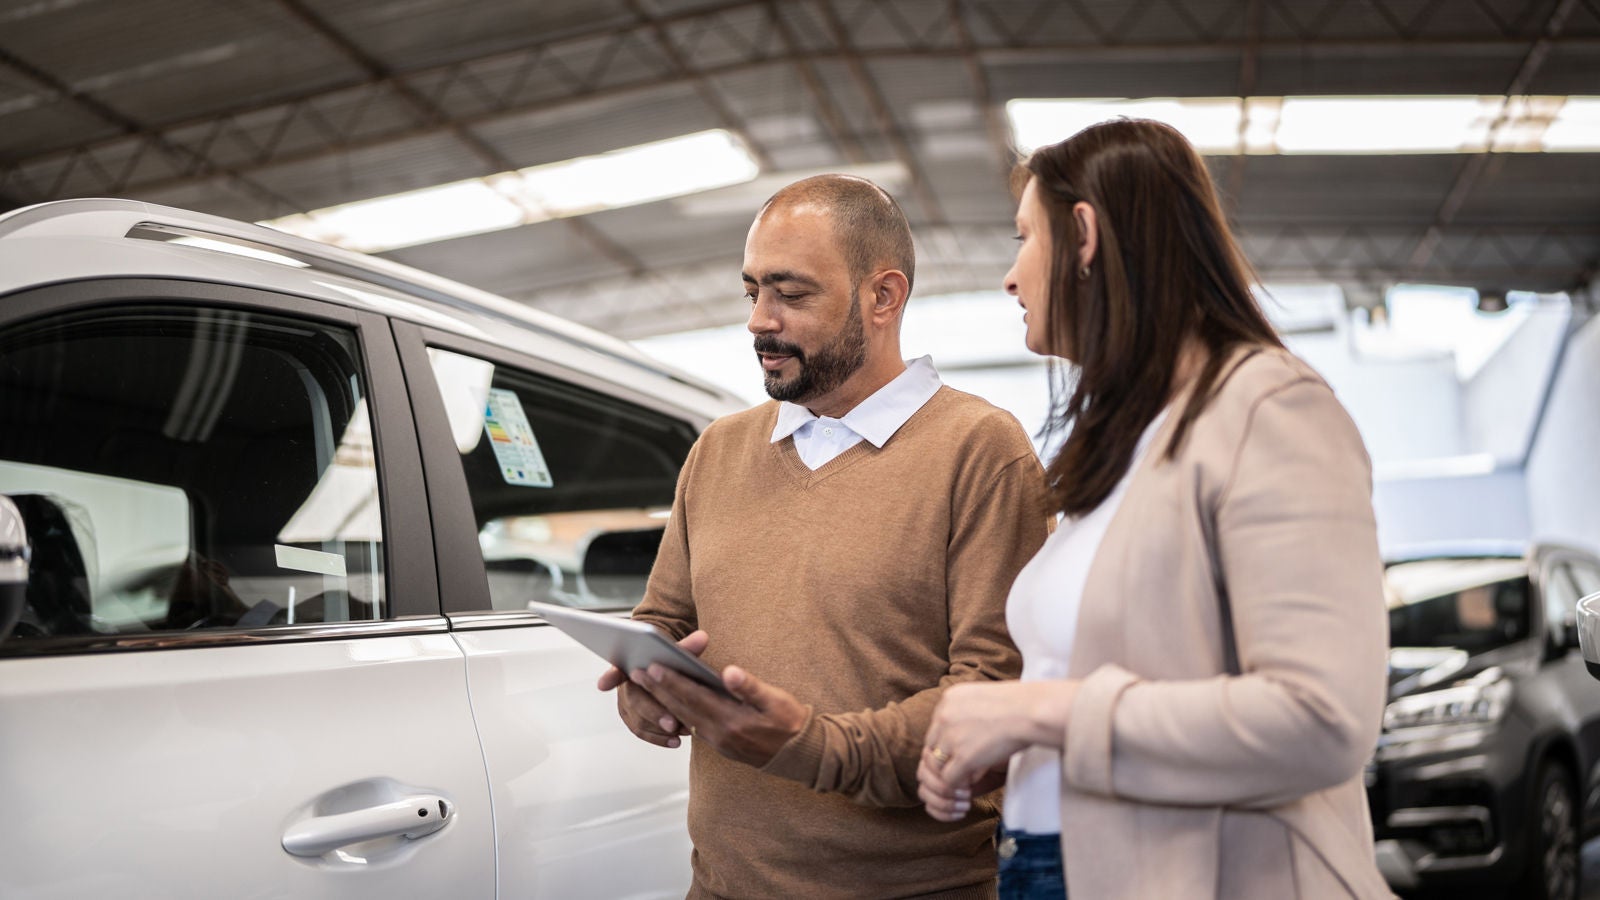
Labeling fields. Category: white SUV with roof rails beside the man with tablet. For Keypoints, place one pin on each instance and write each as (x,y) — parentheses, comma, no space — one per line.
(286,508)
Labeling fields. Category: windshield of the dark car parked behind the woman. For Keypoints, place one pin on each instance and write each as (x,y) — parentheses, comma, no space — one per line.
(1473,605)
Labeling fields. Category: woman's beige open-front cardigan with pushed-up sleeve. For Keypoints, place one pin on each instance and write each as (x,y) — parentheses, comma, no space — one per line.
(1177,779)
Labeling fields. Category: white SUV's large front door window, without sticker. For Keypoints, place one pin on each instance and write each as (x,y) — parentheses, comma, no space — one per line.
(186,468)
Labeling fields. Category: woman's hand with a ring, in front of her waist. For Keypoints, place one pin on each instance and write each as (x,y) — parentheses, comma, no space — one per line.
(975,731)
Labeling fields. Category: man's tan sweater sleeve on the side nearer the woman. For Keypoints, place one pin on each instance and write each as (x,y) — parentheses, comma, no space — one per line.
(998,526)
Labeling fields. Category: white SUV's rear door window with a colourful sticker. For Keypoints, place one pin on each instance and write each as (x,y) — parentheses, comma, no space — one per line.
(570,488)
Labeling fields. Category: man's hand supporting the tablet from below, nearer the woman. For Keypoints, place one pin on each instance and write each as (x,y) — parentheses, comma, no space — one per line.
(750,729)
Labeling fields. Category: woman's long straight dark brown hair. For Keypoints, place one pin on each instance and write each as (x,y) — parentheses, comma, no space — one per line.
(1167,270)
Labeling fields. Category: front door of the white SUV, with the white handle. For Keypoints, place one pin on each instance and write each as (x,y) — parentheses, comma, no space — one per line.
(233,677)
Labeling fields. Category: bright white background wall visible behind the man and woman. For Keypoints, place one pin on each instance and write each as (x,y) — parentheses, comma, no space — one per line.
(1446,412)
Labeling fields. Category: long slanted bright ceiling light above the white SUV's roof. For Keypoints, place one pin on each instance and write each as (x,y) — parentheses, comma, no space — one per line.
(569,188)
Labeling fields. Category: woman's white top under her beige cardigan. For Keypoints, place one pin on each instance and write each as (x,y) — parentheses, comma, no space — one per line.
(1042,614)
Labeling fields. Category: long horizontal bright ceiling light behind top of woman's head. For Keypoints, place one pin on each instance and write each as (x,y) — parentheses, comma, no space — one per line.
(1334,126)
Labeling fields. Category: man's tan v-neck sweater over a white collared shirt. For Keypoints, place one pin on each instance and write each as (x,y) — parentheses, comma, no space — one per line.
(865,589)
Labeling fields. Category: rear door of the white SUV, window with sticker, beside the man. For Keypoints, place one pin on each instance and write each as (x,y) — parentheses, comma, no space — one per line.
(548,484)
